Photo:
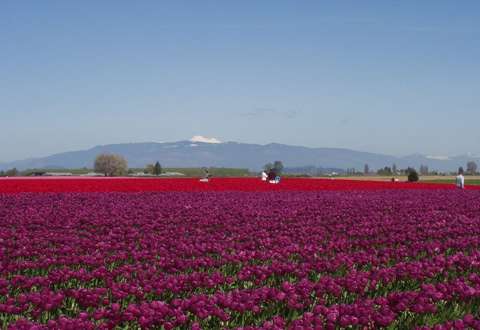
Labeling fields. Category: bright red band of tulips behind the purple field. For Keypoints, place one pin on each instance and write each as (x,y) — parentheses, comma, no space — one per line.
(12,185)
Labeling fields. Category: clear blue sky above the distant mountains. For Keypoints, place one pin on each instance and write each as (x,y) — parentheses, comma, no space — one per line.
(396,77)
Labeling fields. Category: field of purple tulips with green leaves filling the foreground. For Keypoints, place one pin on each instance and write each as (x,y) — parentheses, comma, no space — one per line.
(391,259)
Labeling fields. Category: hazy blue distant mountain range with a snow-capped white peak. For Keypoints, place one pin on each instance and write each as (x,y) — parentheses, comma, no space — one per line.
(196,153)
